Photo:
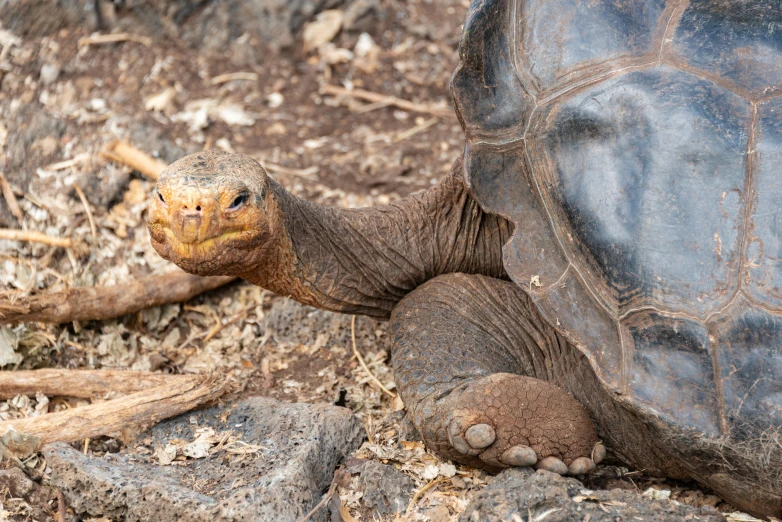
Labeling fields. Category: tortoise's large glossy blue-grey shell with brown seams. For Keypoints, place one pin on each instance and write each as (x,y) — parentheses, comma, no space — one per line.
(637,147)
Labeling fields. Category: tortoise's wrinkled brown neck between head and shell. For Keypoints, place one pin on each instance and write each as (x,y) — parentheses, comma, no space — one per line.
(364,261)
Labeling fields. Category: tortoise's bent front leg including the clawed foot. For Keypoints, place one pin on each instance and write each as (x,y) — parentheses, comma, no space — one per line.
(461,369)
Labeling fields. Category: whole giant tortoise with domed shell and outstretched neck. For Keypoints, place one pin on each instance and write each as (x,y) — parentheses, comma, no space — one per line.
(607,252)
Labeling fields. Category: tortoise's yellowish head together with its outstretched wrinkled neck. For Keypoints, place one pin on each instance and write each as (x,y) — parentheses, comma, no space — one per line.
(221,214)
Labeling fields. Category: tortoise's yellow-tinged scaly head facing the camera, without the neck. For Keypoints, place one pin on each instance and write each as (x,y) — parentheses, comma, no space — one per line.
(208,214)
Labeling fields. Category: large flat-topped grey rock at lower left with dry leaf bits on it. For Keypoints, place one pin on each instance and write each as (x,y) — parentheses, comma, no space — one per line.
(301,445)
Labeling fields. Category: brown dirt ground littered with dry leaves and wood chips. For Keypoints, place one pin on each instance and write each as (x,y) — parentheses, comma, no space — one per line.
(63,100)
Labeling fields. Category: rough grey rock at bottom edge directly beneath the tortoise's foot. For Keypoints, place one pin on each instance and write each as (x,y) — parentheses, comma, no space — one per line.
(522,493)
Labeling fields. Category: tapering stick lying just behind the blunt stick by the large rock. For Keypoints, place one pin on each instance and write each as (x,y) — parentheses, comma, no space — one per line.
(84,384)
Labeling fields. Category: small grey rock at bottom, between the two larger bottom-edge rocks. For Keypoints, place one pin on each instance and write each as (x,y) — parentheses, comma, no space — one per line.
(386,491)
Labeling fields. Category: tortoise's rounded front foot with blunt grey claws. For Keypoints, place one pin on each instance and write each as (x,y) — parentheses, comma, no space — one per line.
(507,420)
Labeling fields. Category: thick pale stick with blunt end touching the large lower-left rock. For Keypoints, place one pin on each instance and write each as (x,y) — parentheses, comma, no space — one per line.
(143,408)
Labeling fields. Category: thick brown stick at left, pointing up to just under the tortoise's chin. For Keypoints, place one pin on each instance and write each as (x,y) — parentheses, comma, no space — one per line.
(106,302)
